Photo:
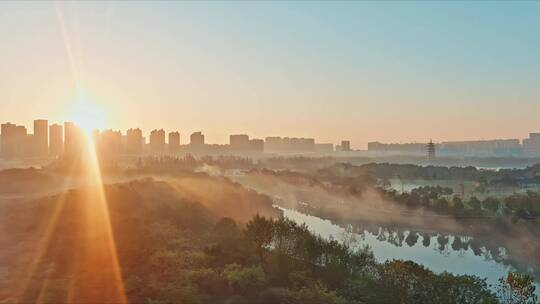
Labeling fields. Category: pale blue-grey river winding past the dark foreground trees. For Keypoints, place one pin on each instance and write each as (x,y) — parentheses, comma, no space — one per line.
(439,255)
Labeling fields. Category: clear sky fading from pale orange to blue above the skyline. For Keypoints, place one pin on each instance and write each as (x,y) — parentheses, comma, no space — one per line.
(363,71)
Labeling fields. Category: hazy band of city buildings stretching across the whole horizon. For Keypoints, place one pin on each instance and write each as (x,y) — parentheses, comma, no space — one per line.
(55,140)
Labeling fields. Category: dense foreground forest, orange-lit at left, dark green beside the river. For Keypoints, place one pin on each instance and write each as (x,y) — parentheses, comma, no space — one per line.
(194,238)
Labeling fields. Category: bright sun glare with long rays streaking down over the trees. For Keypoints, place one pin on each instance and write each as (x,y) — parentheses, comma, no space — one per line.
(95,213)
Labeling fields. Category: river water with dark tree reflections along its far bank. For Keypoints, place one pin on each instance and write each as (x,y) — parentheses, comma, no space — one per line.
(438,252)
